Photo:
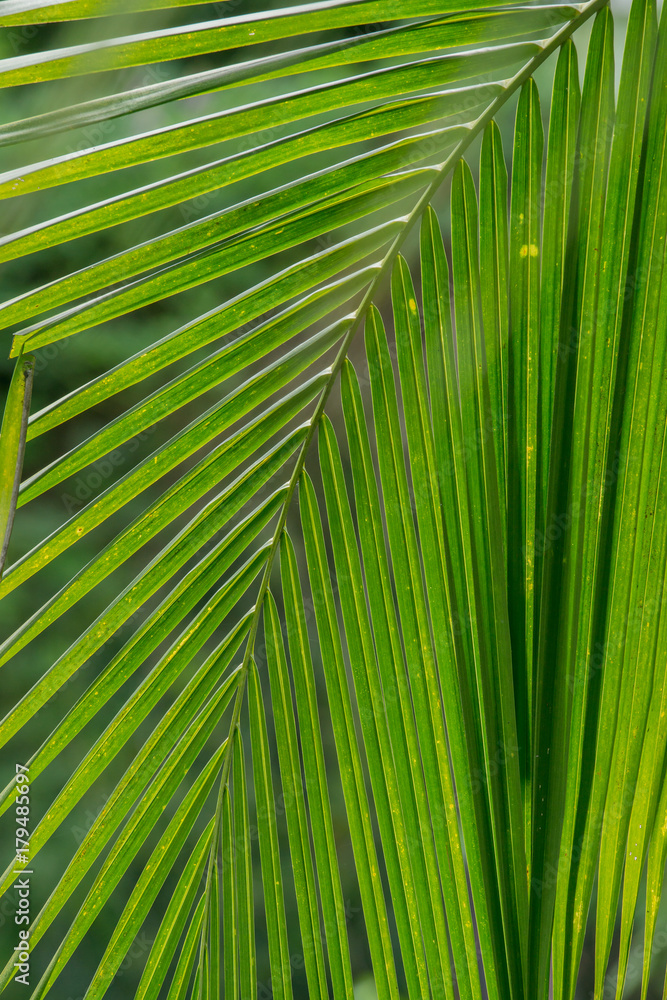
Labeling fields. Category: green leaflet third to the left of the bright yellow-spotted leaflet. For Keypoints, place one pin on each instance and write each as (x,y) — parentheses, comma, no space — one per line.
(450,449)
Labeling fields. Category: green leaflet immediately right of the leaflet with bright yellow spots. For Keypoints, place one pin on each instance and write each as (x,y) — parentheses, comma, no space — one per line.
(548,706)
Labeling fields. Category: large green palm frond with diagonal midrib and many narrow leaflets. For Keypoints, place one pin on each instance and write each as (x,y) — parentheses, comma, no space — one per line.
(400,561)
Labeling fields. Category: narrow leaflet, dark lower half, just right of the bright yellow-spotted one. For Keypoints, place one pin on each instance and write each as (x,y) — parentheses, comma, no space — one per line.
(551,699)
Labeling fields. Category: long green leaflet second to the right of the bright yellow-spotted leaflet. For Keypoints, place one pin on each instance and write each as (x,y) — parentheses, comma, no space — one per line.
(577,328)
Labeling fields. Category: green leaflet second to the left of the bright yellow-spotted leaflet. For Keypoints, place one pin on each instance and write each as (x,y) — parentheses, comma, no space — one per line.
(493,653)
